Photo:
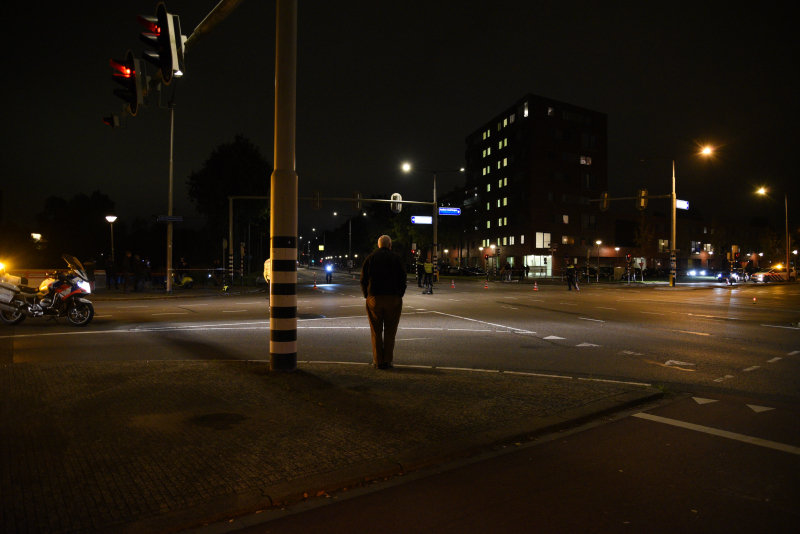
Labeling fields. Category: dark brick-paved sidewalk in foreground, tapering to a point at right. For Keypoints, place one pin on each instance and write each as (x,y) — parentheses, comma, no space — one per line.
(161,446)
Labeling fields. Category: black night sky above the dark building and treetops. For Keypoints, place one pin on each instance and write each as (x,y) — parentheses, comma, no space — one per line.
(380,83)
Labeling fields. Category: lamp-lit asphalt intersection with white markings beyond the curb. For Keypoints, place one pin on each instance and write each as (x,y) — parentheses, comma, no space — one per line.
(739,341)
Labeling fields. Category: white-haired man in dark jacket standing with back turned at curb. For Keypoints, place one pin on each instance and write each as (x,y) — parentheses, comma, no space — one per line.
(383,283)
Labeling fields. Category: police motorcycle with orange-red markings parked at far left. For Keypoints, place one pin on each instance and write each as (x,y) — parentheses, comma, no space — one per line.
(61,294)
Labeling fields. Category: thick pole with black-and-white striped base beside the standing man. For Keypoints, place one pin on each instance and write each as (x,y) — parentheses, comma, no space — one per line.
(283,213)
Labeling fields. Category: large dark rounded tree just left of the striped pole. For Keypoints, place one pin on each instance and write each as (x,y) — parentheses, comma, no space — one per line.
(232,169)
